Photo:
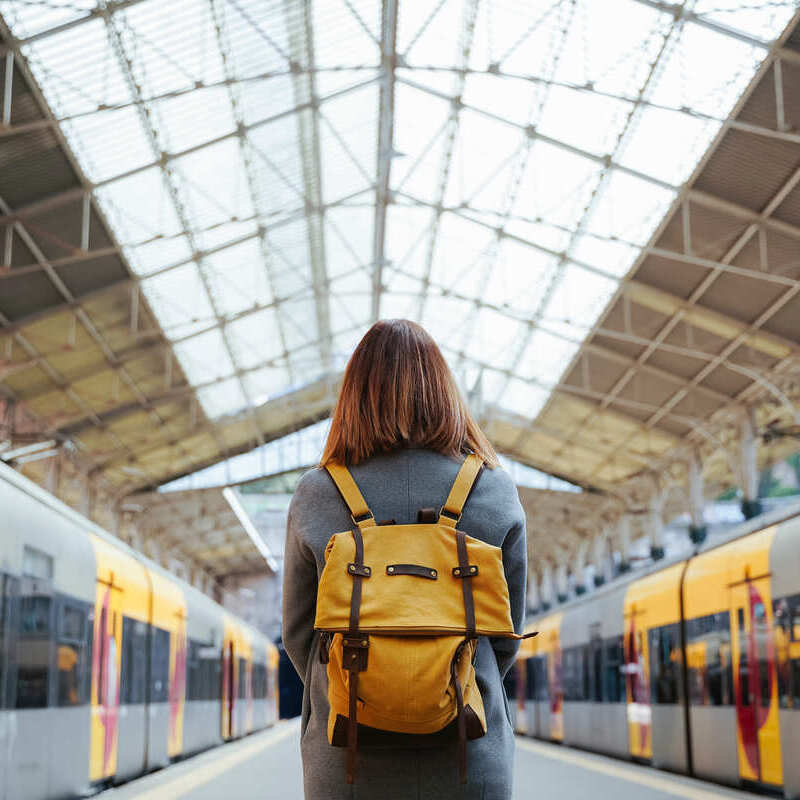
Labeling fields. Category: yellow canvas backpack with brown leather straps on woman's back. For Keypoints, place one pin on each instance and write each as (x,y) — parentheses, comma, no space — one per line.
(399,608)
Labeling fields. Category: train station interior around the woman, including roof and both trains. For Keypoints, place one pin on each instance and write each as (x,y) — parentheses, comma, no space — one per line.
(592,207)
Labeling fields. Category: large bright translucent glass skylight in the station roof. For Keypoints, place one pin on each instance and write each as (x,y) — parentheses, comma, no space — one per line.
(277,184)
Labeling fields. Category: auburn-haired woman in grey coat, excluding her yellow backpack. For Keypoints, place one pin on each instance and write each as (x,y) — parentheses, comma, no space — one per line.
(402,428)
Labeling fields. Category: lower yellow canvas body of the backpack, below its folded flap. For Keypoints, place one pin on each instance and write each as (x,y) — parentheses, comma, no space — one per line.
(407,686)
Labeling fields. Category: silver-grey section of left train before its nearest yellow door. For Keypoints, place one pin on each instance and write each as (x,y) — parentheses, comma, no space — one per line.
(46,576)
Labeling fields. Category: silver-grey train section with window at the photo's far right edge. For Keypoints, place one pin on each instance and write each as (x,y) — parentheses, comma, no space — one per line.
(785,569)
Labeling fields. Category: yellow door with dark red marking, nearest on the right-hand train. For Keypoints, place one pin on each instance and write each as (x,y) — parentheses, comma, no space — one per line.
(755,684)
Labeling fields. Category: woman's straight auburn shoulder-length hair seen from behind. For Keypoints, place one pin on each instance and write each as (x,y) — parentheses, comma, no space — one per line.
(398,391)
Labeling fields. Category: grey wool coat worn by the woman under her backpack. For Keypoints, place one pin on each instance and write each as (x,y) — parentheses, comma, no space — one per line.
(396,485)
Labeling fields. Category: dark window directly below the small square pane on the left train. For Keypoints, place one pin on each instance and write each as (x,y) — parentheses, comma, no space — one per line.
(34,651)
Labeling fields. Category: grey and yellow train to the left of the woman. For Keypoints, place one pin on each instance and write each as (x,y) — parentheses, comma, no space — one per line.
(110,666)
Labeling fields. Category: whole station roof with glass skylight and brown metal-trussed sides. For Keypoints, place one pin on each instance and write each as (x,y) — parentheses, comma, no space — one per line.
(592,206)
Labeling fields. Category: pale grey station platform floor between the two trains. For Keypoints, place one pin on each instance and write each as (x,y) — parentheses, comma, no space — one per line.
(267,765)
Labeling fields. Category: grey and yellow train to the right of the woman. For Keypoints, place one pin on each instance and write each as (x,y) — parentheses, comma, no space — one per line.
(691,666)
